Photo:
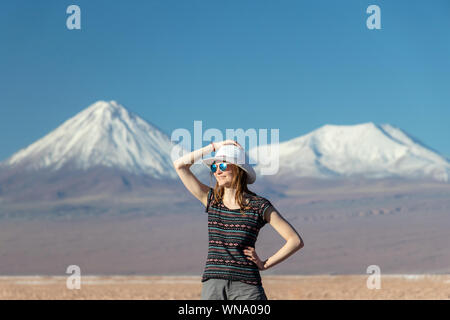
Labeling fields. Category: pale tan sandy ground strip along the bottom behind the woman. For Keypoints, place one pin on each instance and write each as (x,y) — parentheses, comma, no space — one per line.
(345,287)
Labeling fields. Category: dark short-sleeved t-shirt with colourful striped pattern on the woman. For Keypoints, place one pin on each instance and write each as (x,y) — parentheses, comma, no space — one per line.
(229,231)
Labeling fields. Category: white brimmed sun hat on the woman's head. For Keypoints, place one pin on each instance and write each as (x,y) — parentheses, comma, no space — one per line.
(235,155)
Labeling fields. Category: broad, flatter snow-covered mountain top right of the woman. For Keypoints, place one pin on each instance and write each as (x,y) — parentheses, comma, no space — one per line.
(368,150)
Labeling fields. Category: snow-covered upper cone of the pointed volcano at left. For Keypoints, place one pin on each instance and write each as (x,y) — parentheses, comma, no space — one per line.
(104,134)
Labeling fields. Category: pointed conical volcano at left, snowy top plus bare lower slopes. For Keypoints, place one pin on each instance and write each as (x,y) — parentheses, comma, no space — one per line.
(104,151)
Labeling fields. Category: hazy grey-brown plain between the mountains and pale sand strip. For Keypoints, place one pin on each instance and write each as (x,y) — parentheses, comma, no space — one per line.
(402,228)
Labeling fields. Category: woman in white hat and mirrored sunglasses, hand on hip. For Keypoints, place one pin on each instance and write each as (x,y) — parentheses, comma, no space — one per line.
(235,217)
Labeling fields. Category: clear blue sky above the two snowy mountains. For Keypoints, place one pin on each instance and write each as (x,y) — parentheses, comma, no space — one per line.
(291,65)
